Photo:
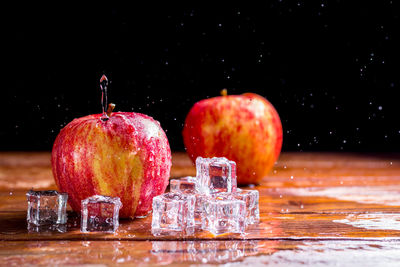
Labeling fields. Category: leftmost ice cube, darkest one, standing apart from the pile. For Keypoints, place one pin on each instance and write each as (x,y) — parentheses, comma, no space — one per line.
(46,207)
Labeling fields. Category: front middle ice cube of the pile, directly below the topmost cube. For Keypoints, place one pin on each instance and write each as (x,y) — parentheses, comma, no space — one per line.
(223,213)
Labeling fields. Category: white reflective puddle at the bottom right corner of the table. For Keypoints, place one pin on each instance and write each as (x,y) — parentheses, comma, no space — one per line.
(331,253)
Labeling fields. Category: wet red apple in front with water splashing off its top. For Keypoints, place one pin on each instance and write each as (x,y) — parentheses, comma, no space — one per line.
(127,156)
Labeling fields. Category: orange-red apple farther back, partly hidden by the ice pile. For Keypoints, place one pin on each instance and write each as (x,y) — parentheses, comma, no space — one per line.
(243,128)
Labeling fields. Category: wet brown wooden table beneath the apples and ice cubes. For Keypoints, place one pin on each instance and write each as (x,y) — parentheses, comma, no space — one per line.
(316,209)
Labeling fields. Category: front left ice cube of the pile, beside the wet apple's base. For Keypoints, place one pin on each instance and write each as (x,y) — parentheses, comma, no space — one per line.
(173,213)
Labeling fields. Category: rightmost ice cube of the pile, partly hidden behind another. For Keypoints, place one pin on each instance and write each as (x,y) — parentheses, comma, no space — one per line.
(250,197)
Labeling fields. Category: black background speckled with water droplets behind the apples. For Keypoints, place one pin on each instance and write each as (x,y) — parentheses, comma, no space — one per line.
(331,68)
